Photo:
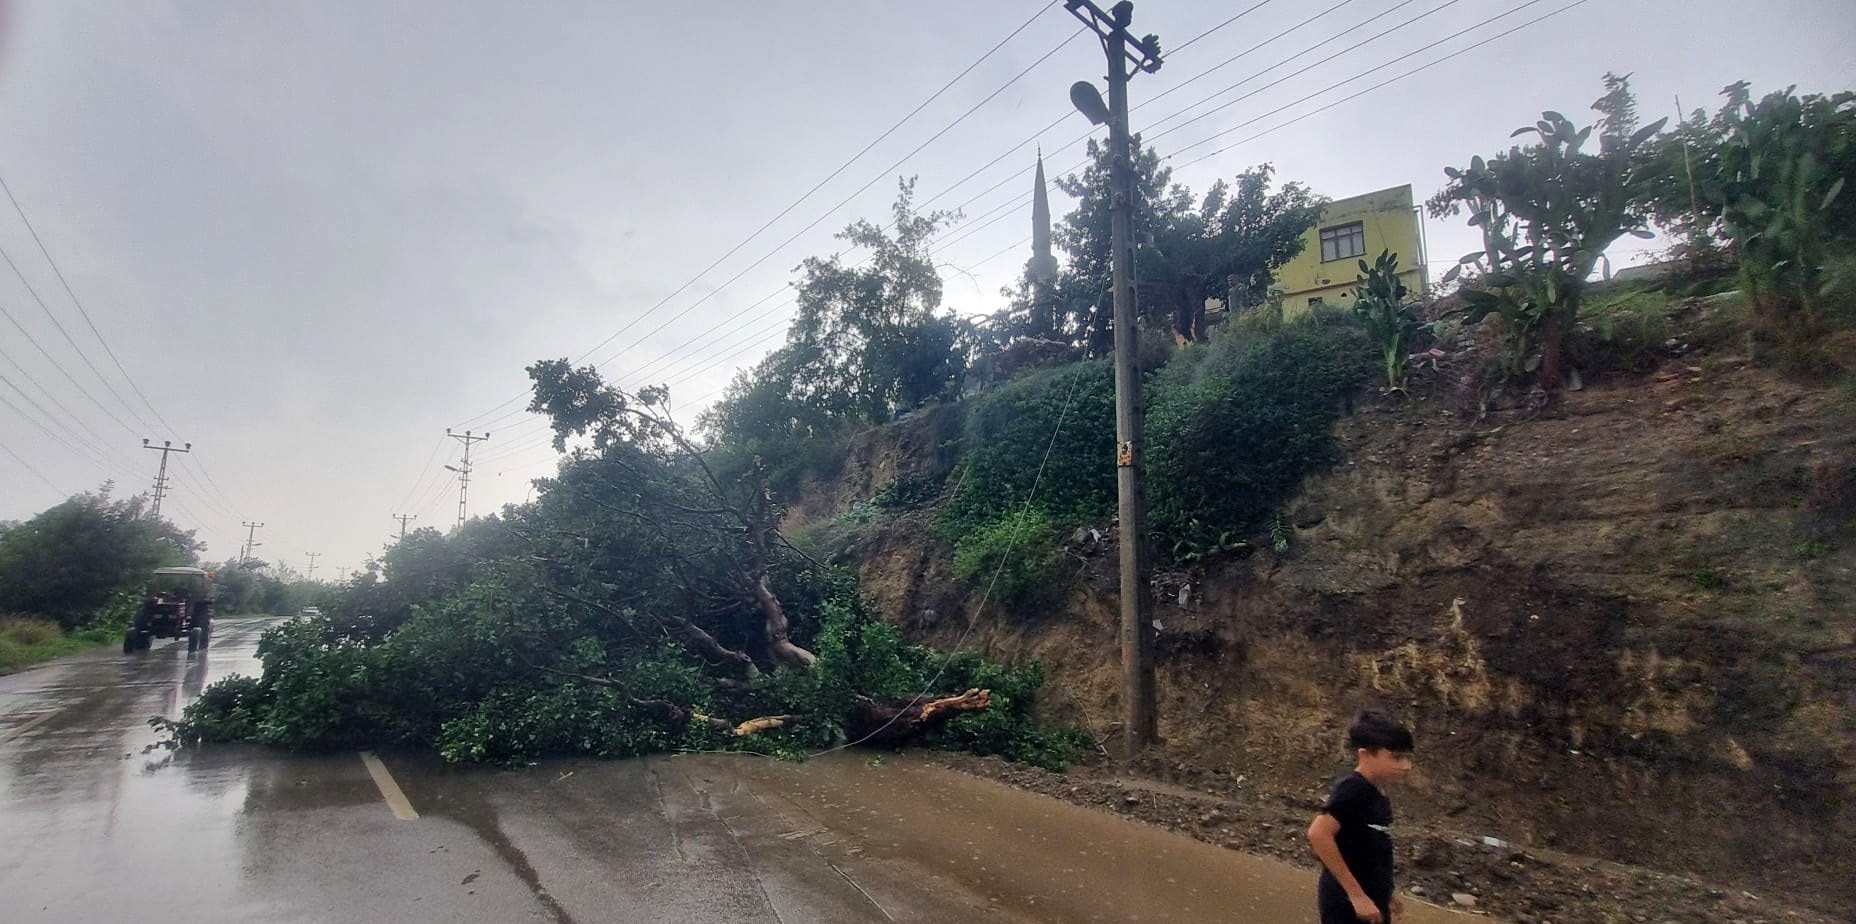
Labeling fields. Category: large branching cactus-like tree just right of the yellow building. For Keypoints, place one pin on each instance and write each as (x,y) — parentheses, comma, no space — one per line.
(1547,214)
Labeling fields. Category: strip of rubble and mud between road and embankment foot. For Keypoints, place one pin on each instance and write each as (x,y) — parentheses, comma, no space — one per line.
(1456,869)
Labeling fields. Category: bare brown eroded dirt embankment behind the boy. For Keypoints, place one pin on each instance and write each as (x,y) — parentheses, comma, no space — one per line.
(1621,628)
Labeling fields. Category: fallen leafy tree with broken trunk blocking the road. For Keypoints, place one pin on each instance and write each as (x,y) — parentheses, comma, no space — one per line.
(643,602)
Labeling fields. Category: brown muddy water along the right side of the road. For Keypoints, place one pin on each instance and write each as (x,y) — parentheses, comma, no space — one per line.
(1029,854)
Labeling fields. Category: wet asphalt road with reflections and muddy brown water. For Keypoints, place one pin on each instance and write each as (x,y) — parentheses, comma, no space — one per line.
(96,827)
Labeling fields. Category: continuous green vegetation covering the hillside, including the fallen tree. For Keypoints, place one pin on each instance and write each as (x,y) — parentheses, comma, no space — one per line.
(647,598)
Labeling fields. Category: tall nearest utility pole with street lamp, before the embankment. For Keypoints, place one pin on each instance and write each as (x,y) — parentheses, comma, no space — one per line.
(1139,713)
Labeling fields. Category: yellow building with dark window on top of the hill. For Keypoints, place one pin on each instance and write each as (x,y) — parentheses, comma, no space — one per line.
(1352,231)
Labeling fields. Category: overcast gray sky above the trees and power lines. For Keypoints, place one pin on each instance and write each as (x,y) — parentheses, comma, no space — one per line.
(320,233)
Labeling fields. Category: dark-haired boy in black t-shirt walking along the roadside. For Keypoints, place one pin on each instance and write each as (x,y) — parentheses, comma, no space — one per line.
(1354,832)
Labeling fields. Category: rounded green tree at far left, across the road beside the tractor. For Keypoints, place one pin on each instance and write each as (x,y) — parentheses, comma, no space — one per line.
(71,559)
